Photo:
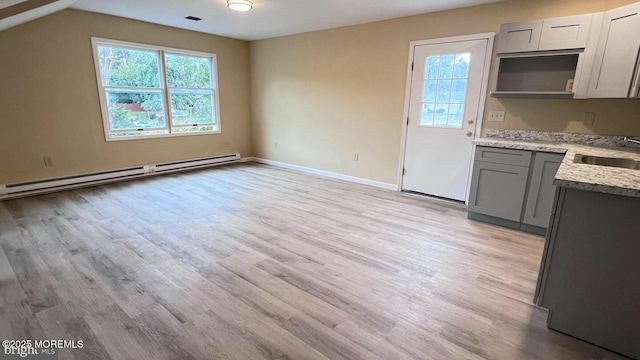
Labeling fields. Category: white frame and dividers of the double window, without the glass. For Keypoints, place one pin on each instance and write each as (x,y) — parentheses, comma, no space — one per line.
(164,88)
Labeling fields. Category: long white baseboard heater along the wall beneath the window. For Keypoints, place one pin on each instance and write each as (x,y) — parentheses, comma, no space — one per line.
(10,191)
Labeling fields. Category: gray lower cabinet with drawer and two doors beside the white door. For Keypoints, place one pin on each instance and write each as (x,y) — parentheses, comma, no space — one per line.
(513,188)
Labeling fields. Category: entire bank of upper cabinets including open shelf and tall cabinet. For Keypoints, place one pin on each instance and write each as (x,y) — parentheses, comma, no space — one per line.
(583,56)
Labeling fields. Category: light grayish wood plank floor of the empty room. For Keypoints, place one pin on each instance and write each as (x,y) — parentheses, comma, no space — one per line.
(255,262)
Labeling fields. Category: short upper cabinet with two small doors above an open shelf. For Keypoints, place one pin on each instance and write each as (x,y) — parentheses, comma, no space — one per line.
(548,58)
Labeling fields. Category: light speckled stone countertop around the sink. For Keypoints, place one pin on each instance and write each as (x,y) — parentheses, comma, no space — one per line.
(610,180)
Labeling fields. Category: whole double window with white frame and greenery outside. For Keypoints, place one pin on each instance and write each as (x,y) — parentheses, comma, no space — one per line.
(149,91)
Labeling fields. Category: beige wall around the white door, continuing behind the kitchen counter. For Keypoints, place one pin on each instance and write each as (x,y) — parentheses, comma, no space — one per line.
(326,95)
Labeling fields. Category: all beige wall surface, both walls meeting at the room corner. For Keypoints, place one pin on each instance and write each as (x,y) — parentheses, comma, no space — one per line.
(321,96)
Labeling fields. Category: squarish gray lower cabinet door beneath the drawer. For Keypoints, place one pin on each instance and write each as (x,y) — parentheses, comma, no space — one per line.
(498,190)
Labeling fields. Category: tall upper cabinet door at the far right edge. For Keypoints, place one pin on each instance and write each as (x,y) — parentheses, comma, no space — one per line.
(617,53)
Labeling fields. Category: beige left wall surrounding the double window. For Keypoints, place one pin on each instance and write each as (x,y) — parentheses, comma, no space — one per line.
(49,98)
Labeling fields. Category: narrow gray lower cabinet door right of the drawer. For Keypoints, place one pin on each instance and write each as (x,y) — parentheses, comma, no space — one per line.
(541,189)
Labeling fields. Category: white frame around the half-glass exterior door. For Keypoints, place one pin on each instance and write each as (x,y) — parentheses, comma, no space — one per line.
(483,92)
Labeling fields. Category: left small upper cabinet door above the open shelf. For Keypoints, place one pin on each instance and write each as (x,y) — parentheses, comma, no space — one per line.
(519,37)
